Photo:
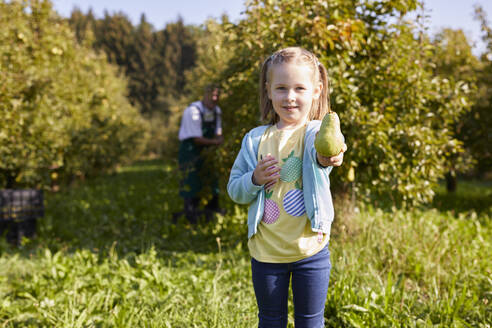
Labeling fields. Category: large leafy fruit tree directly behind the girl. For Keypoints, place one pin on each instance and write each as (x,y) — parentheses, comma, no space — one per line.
(395,113)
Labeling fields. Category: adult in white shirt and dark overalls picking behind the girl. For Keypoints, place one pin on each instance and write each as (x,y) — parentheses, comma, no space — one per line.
(201,127)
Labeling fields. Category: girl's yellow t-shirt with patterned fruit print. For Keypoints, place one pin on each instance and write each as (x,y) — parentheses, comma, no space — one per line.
(284,234)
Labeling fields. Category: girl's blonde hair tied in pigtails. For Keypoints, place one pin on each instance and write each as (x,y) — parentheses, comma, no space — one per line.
(319,107)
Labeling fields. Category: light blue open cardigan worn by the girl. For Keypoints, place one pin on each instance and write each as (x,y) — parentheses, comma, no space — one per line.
(315,181)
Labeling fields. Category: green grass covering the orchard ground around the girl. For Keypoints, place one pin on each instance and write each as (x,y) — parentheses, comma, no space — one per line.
(108,255)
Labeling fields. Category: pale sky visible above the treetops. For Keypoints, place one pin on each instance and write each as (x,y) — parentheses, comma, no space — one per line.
(456,14)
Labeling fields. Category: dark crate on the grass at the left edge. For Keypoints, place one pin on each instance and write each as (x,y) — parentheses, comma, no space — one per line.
(19,211)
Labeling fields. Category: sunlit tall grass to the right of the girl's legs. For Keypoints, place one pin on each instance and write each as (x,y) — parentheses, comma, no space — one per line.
(412,269)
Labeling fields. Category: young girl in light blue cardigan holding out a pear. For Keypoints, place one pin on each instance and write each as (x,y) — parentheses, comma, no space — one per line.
(287,186)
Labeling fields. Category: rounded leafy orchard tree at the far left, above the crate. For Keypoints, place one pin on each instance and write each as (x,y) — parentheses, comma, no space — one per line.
(63,107)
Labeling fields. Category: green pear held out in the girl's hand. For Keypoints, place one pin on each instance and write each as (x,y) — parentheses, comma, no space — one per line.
(329,141)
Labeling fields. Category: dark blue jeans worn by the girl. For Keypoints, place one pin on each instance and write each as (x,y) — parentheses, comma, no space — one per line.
(310,278)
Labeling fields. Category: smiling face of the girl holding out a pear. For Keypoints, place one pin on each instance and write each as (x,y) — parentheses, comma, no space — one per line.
(292,90)
